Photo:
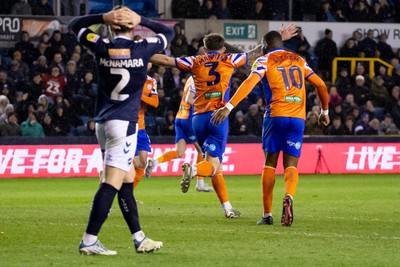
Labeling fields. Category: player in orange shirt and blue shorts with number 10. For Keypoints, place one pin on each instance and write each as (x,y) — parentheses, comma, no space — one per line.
(283,75)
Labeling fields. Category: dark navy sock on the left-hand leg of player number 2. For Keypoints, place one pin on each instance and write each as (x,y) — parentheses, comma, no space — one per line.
(101,207)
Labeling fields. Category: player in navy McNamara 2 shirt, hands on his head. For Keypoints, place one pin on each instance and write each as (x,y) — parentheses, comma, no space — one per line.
(122,65)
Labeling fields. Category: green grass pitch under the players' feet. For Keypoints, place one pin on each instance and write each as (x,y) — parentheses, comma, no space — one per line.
(340,220)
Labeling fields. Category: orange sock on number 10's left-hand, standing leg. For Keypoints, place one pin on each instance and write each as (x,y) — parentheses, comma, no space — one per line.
(267,187)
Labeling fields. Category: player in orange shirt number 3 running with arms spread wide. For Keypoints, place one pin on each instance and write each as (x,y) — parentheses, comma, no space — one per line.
(212,75)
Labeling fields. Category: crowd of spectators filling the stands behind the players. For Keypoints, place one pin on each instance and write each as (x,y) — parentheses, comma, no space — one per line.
(49,88)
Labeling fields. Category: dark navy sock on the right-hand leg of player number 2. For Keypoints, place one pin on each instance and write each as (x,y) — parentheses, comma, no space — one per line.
(128,206)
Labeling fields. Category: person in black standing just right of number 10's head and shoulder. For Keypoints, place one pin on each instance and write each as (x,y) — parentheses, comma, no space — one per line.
(326,51)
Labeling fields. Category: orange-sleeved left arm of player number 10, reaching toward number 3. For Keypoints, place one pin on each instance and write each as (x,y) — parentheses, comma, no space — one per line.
(244,89)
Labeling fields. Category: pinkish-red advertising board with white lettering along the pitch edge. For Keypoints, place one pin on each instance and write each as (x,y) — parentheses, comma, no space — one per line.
(86,160)
